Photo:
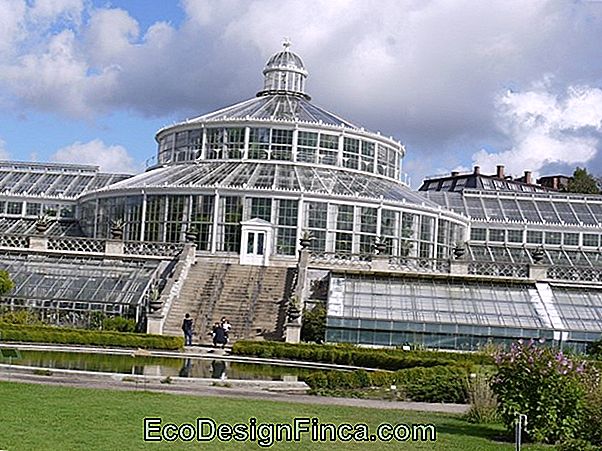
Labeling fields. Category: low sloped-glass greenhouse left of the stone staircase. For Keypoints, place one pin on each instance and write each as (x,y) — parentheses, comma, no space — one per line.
(66,289)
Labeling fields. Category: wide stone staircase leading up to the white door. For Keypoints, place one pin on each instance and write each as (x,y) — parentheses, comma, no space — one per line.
(251,297)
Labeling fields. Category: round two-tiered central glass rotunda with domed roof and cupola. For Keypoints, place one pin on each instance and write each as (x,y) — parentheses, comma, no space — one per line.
(285,164)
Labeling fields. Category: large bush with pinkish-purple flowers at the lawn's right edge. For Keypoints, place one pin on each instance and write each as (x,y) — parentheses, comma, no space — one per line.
(543,384)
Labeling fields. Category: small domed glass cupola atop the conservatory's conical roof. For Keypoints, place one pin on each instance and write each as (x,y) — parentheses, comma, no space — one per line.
(284,73)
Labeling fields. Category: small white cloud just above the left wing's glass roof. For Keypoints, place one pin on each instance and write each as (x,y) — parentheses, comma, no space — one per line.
(110,158)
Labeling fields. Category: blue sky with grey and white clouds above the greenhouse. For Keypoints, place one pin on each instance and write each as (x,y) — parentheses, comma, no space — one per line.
(458,82)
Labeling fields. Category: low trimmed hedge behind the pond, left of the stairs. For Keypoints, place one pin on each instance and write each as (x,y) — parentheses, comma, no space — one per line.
(49,334)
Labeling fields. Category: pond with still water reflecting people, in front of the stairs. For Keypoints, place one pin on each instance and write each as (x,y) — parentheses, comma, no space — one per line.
(157,366)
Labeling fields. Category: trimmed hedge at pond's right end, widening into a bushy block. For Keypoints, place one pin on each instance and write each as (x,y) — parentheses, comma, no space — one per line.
(437,384)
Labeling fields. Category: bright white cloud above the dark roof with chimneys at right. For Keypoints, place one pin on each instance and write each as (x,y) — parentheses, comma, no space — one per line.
(547,128)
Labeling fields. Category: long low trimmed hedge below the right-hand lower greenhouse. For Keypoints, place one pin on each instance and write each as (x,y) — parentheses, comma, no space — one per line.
(386,359)
